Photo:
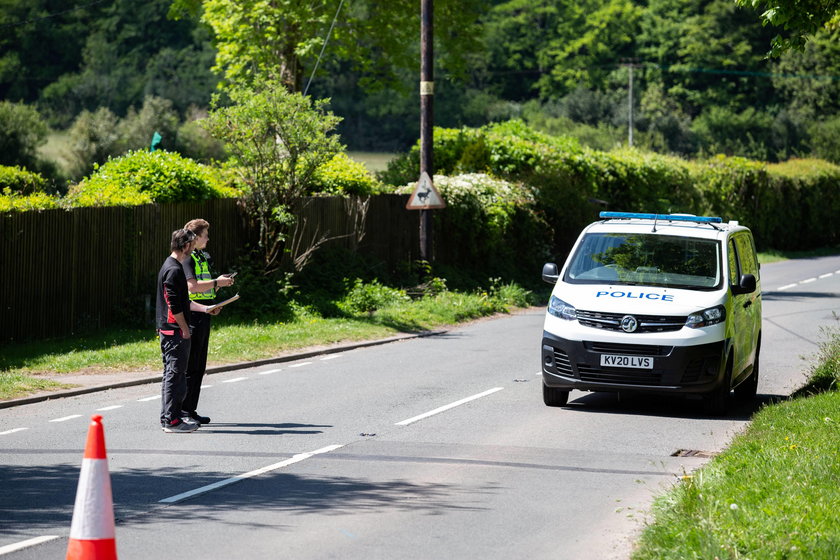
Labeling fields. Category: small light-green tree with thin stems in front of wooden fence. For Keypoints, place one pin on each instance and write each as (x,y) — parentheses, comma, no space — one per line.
(277,140)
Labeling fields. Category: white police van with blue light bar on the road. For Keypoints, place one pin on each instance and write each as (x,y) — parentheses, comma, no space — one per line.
(666,303)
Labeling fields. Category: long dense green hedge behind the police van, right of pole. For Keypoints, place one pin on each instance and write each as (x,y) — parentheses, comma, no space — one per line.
(791,205)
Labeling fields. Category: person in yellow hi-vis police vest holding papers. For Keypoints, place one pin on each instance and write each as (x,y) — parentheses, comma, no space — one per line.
(202,288)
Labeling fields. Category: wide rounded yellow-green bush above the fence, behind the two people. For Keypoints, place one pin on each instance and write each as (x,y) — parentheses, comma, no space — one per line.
(141,177)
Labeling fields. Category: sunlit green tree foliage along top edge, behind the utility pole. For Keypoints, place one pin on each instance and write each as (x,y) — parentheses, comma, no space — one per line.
(277,40)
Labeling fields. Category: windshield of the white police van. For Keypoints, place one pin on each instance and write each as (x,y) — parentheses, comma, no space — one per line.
(646,259)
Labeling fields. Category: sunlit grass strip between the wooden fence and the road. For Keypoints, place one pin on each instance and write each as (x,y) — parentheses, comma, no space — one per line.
(232,341)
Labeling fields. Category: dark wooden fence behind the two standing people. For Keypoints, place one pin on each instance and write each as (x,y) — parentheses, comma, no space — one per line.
(62,271)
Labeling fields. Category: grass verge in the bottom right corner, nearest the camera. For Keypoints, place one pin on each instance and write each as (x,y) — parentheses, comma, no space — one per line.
(773,494)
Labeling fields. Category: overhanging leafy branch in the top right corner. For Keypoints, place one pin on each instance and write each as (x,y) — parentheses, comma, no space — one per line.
(800,18)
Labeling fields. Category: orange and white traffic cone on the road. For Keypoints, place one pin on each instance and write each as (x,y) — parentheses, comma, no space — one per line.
(92,535)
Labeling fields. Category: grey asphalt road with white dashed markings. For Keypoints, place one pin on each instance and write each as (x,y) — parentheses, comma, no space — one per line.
(437,447)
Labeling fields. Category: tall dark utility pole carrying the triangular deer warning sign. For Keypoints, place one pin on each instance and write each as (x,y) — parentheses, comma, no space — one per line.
(427,91)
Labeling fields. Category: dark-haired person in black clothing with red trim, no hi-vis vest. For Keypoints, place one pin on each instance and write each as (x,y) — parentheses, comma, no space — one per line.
(173,307)
